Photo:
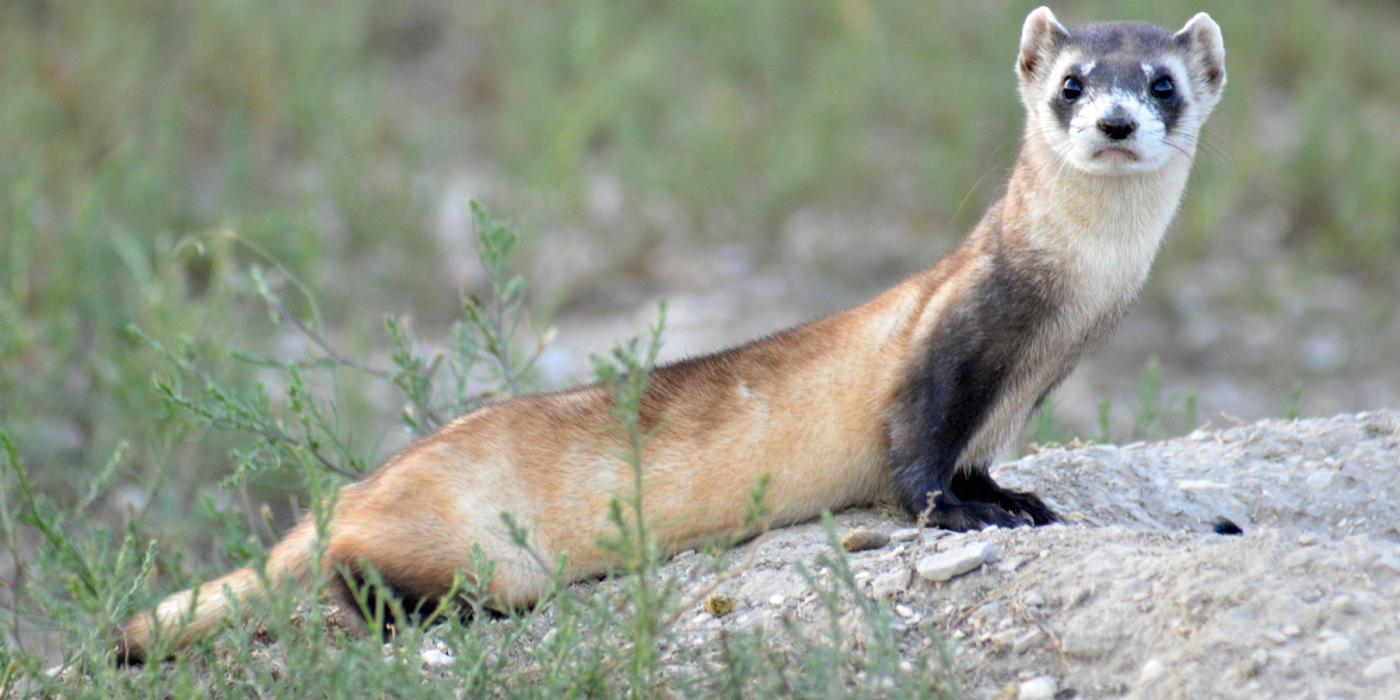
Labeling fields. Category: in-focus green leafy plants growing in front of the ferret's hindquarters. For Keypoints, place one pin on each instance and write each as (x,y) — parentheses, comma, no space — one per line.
(78,583)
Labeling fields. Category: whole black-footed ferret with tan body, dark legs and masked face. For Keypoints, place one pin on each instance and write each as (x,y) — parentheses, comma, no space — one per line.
(909,397)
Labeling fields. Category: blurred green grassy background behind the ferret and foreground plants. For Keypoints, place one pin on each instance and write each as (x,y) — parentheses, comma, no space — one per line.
(757,162)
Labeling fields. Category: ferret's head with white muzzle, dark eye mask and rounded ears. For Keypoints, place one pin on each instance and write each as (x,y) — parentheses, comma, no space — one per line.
(1115,99)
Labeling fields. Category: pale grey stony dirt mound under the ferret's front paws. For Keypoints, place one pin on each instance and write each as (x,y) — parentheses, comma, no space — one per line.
(1137,596)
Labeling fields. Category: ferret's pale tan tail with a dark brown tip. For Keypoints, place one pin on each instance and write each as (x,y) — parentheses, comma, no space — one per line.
(190,615)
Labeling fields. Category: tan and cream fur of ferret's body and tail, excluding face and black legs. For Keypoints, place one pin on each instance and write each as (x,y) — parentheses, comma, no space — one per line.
(815,409)
